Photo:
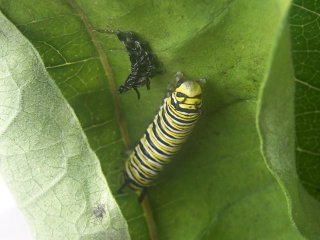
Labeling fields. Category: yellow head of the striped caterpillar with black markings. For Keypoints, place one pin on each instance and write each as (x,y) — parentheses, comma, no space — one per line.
(188,95)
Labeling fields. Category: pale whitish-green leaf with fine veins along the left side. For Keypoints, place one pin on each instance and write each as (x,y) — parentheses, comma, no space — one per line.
(45,157)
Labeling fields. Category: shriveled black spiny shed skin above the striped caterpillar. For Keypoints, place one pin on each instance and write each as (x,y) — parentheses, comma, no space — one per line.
(144,64)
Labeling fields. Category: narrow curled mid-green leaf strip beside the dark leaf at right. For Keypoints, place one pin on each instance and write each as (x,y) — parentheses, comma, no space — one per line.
(276,119)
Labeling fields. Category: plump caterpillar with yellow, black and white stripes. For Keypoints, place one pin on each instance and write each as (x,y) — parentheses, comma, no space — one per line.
(164,136)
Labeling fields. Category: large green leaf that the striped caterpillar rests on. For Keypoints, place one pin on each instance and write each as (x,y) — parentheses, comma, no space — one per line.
(218,187)
